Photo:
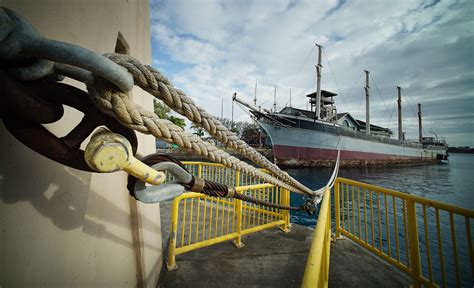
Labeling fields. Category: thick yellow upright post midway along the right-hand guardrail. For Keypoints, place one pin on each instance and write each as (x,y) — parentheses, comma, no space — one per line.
(414,244)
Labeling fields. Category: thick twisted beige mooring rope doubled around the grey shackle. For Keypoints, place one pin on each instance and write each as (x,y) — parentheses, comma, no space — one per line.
(118,104)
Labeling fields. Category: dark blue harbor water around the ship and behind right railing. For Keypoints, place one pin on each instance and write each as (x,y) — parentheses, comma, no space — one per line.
(452,183)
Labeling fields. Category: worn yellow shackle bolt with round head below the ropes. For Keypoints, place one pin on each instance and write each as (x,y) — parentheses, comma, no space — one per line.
(108,152)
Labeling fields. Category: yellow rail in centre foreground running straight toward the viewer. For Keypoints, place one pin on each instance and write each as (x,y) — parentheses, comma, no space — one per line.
(316,273)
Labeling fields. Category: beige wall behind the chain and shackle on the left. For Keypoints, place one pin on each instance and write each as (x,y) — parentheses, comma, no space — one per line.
(62,227)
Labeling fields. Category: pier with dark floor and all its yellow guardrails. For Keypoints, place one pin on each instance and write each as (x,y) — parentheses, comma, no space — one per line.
(365,236)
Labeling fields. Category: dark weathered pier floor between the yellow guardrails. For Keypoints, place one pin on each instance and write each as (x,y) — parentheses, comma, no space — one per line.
(273,258)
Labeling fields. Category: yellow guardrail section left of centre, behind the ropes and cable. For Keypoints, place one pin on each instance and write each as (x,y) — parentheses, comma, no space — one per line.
(199,220)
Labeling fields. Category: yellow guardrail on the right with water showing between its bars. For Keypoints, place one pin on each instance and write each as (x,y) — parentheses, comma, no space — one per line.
(386,222)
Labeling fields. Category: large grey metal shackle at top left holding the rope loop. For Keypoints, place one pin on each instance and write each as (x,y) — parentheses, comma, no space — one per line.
(21,43)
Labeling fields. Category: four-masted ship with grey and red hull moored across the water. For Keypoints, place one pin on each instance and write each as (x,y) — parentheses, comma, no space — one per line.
(313,137)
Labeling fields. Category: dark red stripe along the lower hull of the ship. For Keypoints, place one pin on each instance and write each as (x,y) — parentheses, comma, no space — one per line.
(305,153)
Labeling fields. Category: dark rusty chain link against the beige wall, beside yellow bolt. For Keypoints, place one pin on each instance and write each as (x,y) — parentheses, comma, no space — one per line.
(25,106)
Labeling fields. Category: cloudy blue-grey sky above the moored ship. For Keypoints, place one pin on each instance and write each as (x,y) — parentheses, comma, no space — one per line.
(211,49)
